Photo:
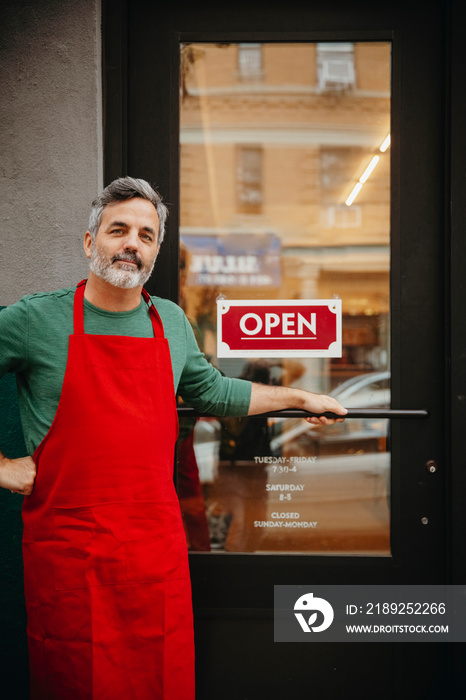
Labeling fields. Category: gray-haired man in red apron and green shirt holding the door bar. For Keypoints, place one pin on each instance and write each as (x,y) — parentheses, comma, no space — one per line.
(105,561)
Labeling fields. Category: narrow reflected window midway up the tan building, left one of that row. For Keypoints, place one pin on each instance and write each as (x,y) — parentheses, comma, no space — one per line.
(249,179)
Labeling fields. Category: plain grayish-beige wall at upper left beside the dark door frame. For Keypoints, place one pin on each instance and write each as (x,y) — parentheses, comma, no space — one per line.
(51,143)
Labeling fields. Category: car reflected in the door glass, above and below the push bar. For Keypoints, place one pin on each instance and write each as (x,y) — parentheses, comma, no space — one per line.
(354,436)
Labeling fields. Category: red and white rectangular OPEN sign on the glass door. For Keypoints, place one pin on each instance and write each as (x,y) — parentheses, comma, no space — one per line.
(279,328)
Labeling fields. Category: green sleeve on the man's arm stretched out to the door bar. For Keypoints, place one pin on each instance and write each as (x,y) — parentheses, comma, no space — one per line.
(204,388)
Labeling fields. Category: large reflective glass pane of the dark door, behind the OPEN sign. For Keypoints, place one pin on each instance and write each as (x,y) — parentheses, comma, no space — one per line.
(285,194)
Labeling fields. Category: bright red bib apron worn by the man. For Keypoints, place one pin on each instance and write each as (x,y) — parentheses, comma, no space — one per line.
(106,573)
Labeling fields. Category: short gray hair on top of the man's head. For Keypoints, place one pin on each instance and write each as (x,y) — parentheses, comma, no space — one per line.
(126,188)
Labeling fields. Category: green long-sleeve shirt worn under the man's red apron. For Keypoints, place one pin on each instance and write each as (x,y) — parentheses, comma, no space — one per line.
(34,336)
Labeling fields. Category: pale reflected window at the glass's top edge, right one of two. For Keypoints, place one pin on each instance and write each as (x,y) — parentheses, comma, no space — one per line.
(335,67)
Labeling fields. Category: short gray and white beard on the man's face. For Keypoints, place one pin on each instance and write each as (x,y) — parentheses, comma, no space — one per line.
(122,276)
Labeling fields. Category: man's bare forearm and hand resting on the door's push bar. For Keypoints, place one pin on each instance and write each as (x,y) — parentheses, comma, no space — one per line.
(266,398)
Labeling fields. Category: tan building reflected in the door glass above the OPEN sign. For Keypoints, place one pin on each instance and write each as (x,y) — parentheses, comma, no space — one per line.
(274,137)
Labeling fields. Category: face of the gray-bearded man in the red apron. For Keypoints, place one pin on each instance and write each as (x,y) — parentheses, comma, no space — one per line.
(126,245)
